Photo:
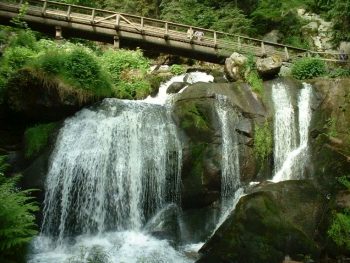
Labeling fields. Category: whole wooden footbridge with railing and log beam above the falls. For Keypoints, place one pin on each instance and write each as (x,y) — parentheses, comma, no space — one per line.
(126,30)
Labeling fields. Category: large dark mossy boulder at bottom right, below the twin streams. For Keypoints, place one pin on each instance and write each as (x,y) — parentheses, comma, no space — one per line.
(267,225)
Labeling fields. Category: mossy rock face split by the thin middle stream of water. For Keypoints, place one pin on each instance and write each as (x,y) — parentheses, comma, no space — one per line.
(196,115)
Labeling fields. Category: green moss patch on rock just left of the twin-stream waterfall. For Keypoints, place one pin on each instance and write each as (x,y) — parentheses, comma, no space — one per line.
(263,141)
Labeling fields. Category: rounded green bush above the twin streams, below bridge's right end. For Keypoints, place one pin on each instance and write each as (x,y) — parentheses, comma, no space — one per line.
(307,68)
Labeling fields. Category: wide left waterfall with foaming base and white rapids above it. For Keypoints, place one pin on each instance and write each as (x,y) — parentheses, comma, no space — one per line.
(114,166)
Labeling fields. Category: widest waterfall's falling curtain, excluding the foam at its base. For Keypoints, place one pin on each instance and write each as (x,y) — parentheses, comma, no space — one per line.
(110,169)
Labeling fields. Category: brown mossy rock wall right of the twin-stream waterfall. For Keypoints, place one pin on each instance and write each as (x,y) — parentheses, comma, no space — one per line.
(330,130)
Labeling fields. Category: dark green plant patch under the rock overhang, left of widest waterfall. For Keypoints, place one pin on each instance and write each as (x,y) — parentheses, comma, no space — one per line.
(37,137)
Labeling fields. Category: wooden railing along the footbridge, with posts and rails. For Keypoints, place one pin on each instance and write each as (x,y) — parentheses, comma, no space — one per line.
(169,30)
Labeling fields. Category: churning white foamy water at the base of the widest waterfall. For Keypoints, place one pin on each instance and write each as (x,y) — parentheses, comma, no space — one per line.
(111,247)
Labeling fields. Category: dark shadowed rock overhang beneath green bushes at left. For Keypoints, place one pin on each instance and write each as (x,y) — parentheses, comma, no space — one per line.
(37,98)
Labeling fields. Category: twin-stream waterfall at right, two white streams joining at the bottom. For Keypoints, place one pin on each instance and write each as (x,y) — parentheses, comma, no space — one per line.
(291,157)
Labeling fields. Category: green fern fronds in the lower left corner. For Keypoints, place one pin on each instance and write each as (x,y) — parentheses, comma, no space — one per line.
(17,222)
